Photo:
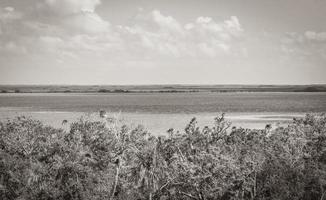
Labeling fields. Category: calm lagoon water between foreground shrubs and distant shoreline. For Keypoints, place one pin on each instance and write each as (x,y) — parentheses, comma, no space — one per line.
(158,112)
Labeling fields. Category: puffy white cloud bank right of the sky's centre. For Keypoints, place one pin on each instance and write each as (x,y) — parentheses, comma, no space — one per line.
(157,33)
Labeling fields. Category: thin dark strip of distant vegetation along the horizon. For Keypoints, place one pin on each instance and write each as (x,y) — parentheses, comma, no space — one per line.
(161,88)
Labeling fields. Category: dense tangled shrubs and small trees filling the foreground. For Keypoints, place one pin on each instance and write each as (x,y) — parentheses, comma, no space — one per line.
(102,160)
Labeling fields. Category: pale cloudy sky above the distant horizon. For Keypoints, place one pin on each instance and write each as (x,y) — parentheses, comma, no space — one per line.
(115,42)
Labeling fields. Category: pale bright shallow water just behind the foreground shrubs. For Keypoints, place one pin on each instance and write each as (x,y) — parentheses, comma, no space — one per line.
(159,123)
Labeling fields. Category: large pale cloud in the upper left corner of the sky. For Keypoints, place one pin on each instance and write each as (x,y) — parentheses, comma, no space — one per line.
(51,24)
